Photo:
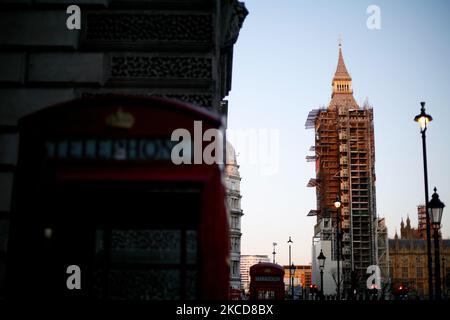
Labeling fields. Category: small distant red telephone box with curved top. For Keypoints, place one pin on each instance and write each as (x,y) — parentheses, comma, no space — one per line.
(266,281)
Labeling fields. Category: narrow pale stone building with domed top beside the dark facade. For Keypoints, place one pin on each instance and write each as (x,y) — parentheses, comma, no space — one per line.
(232,182)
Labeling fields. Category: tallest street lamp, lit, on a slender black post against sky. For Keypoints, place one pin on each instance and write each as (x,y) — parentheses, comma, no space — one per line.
(423,119)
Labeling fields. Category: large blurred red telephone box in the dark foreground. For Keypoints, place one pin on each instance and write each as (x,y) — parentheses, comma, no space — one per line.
(96,188)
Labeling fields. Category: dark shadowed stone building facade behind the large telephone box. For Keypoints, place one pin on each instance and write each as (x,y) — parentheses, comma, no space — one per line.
(179,49)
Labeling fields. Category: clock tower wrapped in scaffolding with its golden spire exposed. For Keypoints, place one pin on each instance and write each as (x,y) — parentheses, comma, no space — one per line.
(345,168)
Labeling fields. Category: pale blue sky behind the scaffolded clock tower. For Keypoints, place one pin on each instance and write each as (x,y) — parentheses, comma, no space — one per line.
(284,61)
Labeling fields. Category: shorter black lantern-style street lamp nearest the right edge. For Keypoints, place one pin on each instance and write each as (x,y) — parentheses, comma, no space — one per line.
(436,207)
